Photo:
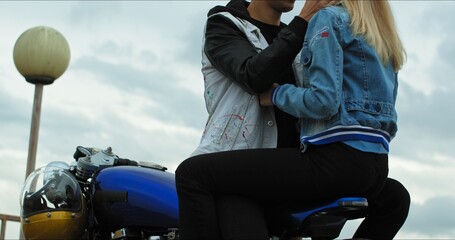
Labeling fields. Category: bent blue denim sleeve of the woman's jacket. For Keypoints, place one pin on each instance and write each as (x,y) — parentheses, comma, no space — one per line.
(319,95)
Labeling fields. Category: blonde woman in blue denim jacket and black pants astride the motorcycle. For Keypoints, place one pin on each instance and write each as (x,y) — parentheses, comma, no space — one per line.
(346,105)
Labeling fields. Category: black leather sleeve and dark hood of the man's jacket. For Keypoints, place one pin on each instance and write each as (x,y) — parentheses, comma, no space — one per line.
(232,54)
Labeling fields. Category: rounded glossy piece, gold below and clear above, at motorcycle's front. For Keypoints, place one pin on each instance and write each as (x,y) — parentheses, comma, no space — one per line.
(52,204)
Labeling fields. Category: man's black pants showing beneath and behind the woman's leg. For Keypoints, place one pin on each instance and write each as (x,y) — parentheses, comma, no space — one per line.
(245,219)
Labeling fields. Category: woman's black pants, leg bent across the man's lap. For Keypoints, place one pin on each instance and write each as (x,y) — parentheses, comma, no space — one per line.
(275,176)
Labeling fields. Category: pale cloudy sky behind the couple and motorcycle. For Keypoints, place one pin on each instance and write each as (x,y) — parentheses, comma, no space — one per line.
(134,84)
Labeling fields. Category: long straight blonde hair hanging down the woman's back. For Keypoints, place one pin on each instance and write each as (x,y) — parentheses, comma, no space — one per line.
(373,19)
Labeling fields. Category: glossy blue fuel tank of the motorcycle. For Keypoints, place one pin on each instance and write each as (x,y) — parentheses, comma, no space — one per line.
(136,197)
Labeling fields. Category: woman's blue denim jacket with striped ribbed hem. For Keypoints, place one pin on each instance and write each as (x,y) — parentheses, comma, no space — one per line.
(346,94)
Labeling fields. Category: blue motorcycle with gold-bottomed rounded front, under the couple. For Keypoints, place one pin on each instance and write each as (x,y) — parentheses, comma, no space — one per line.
(101,196)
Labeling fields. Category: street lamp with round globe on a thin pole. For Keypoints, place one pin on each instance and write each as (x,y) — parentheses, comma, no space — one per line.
(41,54)
